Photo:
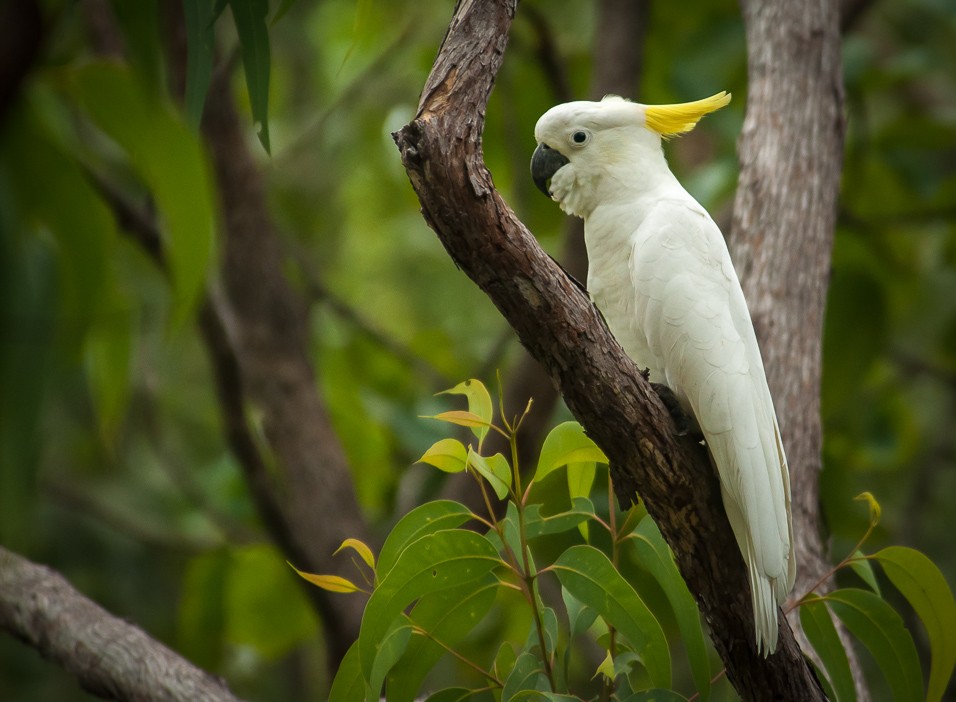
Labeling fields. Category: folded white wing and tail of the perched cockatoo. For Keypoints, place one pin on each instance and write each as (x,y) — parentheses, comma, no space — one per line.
(695,318)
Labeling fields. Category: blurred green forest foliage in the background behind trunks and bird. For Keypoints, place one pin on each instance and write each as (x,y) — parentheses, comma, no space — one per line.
(113,467)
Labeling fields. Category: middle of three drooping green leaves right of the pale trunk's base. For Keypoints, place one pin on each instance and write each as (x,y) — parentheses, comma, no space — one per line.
(881,630)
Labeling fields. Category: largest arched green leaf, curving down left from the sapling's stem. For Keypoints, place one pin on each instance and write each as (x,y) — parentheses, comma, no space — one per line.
(434,562)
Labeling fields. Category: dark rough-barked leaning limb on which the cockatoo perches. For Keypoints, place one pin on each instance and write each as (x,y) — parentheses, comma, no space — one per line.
(441,150)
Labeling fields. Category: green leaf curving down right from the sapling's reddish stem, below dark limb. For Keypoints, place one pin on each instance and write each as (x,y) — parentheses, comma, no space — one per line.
(591,577)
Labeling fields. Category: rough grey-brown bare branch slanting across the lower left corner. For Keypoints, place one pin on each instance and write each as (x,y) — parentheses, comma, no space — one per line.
(109,657)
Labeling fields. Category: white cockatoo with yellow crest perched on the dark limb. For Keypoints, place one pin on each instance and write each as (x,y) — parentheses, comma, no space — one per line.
(660,273)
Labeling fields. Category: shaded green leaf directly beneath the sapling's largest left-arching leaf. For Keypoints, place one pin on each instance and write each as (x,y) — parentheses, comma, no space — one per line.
(448,616)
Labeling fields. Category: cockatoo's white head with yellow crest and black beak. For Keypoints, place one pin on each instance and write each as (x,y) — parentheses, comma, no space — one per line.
(588,149)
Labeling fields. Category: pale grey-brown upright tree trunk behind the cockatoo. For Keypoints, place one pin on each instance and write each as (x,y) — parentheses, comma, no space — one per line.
(790,151)
